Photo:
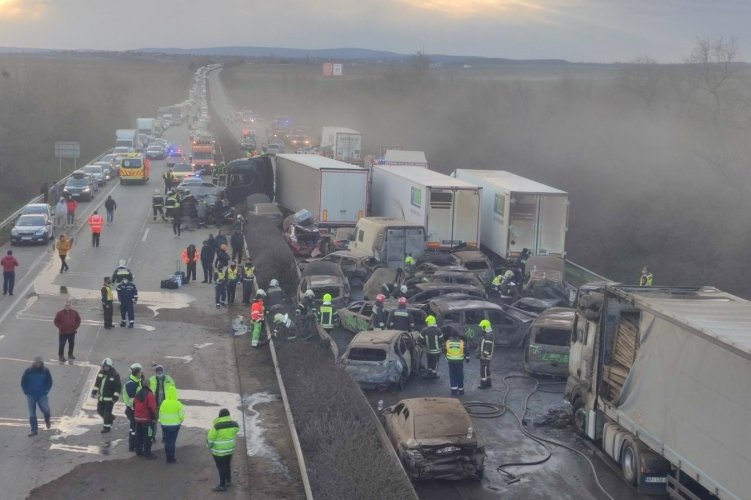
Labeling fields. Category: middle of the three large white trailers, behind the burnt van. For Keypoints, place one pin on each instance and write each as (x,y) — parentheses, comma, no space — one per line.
(448,208)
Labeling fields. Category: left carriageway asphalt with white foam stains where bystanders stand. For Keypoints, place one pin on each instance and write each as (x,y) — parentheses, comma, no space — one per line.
(179,329)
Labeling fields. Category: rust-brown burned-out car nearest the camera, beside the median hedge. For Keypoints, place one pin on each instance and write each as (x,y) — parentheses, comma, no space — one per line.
(435,439)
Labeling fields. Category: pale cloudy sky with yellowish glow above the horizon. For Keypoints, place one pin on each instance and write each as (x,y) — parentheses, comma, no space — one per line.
(576,30)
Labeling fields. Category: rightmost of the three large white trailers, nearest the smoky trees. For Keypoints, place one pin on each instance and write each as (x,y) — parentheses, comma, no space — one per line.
(519,213)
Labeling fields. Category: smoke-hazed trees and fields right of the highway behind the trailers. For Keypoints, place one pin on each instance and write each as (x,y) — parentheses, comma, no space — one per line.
(656,158)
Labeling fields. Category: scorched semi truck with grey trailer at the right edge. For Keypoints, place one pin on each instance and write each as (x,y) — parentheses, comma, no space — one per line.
(658,376)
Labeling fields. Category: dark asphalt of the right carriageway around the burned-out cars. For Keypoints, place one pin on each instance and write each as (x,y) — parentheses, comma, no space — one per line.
(564,475)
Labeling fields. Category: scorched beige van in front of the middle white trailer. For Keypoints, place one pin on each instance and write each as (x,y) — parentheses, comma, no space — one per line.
(388,240)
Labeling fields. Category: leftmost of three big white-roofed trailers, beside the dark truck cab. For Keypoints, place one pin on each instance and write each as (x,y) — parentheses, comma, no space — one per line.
(336,193)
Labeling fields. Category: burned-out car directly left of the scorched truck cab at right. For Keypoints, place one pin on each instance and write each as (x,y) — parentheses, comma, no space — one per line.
(547,346)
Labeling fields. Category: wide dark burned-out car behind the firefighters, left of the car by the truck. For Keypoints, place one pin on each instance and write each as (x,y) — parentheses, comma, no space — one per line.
(510,325)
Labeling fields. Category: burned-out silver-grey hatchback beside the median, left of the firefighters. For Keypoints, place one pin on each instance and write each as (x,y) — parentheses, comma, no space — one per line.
(379,359)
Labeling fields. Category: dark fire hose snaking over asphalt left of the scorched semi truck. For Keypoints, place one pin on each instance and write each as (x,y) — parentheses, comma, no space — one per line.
(497,410)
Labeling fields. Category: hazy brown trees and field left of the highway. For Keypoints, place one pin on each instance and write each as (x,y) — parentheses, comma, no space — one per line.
(46,98)
